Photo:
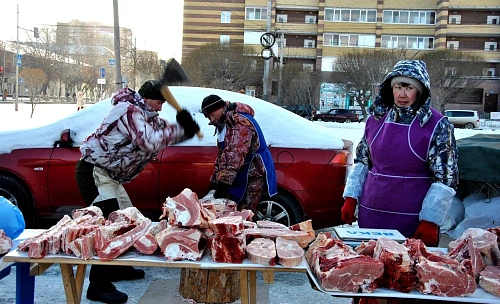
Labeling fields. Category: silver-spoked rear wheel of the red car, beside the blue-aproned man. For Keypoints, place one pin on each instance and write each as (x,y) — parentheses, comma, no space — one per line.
(281,209)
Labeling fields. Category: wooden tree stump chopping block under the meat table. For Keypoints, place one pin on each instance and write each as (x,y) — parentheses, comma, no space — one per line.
(210,286)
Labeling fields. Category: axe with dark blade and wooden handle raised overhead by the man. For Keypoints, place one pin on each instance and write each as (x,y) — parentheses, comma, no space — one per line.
(174,73)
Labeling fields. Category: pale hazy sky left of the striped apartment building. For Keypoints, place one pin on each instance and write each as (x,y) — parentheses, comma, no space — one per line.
(157,25)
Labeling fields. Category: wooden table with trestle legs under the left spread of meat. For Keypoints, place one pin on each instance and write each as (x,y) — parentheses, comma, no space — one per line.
(73,282)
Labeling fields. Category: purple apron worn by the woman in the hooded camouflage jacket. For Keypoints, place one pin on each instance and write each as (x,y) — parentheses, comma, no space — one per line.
(397,183)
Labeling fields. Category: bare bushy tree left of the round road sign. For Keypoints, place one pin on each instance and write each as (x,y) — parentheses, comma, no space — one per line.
(226,66)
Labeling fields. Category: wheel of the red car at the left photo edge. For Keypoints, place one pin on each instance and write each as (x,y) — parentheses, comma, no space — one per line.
(16,193)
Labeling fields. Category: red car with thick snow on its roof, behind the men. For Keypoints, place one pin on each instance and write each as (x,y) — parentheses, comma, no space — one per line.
(37,166)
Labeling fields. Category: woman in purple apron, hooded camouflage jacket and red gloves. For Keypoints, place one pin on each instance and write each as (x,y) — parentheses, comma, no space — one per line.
(405,169)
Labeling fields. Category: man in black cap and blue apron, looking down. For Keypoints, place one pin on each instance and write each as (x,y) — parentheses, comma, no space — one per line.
(244,168)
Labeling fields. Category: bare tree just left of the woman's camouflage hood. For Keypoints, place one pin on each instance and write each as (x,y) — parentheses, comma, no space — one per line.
(359,72)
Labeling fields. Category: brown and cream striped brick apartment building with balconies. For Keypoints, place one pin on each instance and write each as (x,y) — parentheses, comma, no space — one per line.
(317,32)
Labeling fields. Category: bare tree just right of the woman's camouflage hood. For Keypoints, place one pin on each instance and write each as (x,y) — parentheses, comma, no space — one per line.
(447,69)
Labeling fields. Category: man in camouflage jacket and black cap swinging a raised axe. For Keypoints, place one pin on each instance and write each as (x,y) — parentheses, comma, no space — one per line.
(117,152)
